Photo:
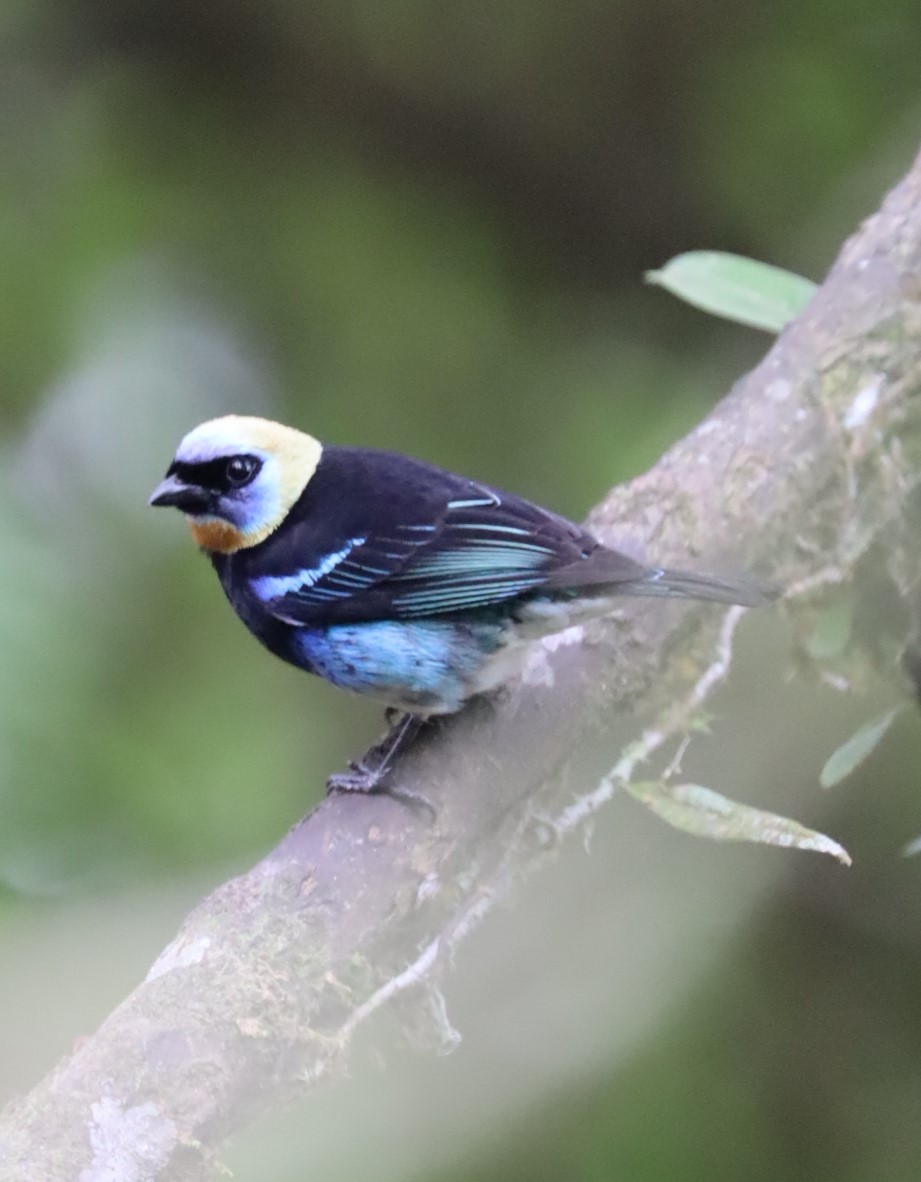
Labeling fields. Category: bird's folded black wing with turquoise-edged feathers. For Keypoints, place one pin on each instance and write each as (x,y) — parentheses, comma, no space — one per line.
(418,542)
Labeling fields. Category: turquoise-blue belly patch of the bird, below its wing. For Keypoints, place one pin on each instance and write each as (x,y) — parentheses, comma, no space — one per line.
(425,665)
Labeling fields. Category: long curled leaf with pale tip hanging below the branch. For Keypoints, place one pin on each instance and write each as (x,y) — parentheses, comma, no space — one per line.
(702,811)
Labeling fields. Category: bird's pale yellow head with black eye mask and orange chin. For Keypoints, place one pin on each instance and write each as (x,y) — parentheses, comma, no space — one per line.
(237,478)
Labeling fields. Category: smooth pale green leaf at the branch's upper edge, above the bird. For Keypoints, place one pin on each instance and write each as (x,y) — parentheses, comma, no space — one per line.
(736,288)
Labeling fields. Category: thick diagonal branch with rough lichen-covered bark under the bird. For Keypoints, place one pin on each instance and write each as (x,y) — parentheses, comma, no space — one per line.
(797,473)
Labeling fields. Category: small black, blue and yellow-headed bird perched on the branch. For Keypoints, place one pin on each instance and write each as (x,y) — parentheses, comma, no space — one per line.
(392,577)
